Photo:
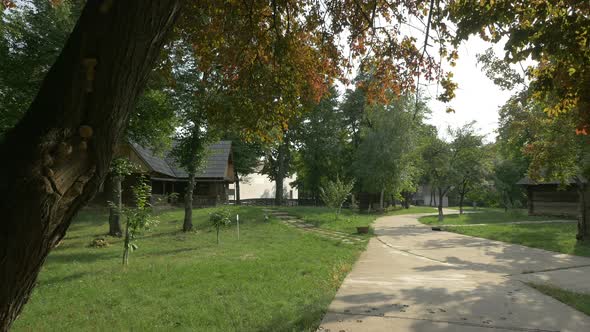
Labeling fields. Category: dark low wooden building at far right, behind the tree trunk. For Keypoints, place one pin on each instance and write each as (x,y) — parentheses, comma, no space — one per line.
(549,198)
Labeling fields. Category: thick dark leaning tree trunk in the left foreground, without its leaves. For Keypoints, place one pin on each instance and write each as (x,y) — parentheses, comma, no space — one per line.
(60,151)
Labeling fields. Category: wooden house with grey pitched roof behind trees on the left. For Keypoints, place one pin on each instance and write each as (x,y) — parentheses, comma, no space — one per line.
(167,177)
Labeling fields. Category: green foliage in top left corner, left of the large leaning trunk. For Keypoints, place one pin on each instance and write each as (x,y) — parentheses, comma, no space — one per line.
(31,38)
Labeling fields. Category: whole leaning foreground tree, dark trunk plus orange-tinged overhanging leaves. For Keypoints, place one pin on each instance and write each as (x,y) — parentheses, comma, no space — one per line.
(63,145)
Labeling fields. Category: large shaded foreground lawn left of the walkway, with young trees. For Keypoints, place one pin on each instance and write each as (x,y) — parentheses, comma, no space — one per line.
(275,278)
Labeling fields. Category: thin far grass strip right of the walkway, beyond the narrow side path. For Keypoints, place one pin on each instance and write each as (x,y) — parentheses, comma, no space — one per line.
(486,216)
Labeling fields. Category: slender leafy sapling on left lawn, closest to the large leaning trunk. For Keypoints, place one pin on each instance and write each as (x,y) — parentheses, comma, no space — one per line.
(137,218)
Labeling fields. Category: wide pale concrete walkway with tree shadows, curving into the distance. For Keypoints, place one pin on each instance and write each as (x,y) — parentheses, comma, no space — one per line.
(413,279)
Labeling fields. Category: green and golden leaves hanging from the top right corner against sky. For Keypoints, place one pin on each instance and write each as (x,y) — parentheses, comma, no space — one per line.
(553,33)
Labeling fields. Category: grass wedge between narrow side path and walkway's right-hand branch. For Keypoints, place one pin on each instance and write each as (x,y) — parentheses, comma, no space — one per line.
(558,237)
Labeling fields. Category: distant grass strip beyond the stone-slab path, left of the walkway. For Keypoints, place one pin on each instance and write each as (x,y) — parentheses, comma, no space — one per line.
(348,220)
